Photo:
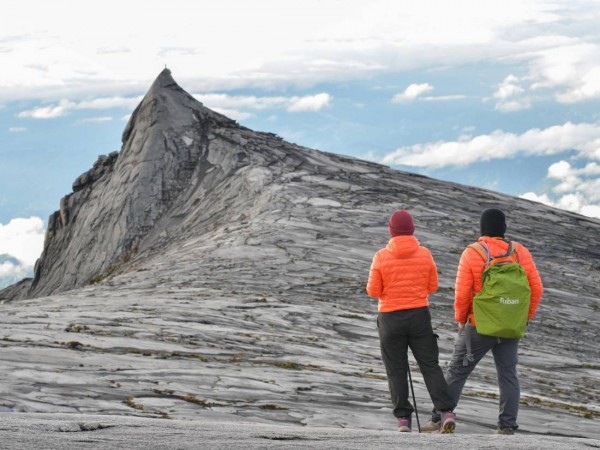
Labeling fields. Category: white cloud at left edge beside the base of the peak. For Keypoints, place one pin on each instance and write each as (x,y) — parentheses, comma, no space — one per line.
(21,243)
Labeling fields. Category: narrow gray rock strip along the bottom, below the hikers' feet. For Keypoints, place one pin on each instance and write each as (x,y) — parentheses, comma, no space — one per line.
(60,431)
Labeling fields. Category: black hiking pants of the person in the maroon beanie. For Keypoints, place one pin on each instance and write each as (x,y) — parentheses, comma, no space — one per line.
(411,328)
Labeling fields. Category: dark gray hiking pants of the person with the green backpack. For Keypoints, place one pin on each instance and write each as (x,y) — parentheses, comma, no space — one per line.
(505,358)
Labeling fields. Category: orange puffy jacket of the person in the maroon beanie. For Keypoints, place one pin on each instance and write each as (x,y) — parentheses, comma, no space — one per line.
(402,275)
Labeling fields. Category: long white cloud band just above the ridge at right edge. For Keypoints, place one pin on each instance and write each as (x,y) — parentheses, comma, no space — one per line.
(584,138)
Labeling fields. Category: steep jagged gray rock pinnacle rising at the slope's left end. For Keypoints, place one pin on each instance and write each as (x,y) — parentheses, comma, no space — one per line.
(166,144)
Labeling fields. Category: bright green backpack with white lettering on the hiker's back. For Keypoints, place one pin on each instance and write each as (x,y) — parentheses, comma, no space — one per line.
(501,308)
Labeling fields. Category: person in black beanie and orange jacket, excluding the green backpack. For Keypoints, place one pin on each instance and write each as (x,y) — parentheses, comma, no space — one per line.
(504,350)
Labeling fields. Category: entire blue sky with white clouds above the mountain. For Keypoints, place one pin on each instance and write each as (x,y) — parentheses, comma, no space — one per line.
(499,95)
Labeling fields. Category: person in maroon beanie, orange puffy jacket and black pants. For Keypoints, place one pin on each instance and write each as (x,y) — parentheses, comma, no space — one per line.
(402,276)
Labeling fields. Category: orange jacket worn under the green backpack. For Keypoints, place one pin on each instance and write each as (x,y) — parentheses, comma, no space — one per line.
(470,271)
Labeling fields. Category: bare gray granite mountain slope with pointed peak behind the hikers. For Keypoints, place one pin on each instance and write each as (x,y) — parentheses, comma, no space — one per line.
(228,271)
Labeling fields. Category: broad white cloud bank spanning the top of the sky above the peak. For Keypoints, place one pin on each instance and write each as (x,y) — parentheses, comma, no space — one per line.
(316,41)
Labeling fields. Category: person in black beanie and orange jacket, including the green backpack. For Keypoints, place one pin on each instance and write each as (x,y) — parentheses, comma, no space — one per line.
(497,292)
